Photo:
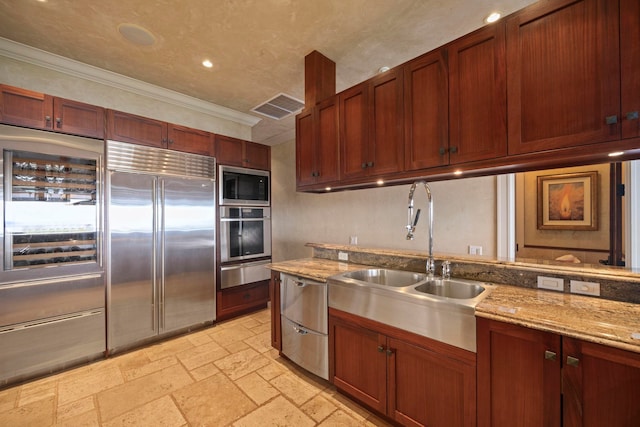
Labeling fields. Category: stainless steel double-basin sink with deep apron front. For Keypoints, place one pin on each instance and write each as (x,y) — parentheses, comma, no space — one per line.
(441,309)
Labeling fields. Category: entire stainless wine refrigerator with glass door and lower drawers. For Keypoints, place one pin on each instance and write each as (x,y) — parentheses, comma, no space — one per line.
(52,285)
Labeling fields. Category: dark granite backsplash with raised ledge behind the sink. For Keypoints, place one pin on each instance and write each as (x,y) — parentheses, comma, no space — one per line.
(615,285)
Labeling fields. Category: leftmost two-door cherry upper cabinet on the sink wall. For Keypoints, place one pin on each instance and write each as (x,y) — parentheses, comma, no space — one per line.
(318,144)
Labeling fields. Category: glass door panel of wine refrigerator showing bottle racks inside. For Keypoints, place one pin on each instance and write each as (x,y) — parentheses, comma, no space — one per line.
(51,211)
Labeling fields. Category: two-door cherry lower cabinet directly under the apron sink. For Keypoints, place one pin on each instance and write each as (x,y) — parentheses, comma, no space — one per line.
(411,379)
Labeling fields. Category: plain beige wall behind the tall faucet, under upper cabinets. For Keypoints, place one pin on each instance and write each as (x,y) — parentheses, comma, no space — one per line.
(464,214)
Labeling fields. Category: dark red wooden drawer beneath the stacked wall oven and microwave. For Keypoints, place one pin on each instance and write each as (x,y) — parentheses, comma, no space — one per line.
(237,300)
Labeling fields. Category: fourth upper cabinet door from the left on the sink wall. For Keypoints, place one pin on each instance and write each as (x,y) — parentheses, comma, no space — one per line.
(386,141)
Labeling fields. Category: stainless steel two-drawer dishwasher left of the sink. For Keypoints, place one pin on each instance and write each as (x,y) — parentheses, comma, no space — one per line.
(305,327)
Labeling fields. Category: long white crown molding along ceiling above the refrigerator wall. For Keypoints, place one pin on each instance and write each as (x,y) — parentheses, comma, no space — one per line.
(41,58)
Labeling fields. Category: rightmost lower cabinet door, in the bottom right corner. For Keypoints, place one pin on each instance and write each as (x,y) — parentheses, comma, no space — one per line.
(600,385)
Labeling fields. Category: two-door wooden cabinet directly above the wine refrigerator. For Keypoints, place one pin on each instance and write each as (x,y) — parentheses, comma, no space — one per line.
(36,110)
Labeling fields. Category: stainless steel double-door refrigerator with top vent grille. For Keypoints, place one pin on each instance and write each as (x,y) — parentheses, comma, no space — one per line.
(161,227)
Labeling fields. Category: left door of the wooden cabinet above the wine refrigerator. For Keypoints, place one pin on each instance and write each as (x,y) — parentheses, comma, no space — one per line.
(25,108)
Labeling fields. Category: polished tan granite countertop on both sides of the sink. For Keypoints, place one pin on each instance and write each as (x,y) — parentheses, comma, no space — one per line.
(602,321)
